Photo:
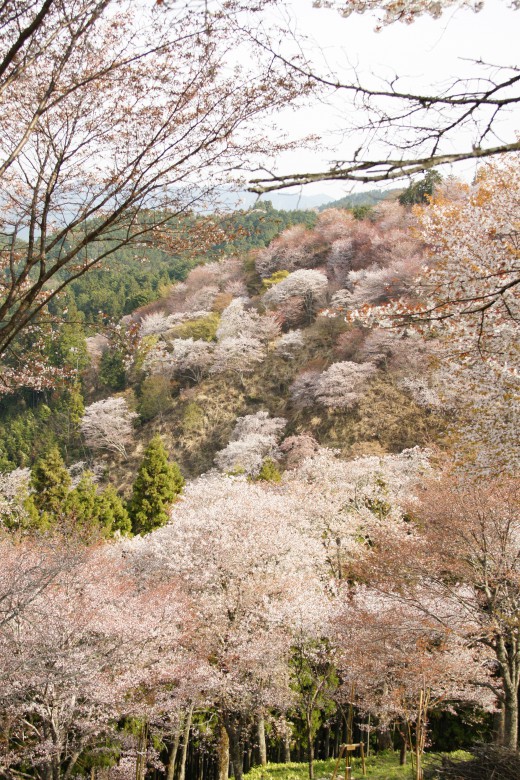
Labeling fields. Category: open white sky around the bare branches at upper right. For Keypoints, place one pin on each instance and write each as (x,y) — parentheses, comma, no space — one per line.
(427,53)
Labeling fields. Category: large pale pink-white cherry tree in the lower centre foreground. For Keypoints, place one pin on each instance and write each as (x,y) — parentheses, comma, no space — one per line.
(250,573)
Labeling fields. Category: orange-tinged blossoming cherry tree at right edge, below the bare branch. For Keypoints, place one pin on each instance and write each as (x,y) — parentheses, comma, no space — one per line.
(467,297)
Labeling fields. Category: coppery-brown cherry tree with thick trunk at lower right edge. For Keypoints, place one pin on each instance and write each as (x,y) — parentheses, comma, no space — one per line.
(458,566)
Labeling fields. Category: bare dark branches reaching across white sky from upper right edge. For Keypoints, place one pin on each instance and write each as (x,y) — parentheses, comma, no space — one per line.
(420,130)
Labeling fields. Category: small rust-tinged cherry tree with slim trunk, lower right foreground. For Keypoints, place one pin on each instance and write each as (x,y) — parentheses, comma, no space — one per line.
(399,665)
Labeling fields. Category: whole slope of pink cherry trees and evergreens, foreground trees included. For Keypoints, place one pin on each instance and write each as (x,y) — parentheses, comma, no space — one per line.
(258,497)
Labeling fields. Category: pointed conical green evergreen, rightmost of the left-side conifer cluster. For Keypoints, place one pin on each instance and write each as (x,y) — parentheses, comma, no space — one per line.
(156,485)
